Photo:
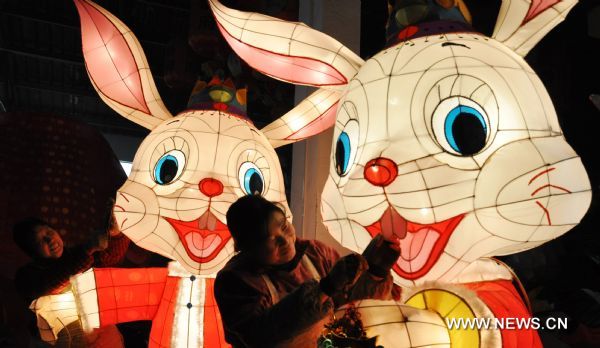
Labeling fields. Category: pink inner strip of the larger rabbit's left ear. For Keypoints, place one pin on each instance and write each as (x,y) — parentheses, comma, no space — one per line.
(298,70)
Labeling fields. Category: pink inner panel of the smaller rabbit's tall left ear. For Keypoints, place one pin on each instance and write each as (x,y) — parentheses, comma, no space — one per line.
(109,60)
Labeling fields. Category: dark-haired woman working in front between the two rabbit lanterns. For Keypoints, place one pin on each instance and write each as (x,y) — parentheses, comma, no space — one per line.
(278,290)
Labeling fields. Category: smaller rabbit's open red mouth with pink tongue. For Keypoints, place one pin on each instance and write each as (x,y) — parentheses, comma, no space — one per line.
(202,238)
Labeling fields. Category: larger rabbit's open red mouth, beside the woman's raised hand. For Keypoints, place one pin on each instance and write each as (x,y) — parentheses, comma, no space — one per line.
(420,245)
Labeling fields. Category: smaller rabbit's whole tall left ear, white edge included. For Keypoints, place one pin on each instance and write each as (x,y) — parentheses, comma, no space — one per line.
(118,68)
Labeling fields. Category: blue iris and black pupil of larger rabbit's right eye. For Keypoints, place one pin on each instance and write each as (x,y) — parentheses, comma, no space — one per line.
(465,130)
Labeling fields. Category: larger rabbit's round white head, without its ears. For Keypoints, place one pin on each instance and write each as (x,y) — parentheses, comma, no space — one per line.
(520,186)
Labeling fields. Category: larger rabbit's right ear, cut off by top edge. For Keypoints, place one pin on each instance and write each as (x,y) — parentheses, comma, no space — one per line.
(521,24)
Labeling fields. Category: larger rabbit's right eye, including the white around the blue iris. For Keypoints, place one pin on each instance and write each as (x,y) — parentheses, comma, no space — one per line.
(463,130)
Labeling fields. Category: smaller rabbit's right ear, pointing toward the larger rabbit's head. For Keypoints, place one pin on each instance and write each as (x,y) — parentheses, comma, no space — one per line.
(313,115)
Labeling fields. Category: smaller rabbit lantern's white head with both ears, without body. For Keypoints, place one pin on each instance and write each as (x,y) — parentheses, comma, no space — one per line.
(192,166)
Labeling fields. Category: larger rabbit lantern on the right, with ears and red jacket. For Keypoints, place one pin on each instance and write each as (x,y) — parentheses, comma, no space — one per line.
(446,140)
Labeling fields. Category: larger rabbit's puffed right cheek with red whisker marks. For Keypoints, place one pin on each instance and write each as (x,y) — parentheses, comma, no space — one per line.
(531,191)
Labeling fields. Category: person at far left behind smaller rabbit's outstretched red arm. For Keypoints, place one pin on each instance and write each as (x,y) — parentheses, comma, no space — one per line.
(53,264)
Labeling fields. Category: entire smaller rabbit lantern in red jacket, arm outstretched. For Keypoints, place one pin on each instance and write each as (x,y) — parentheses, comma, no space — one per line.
(185,175)
